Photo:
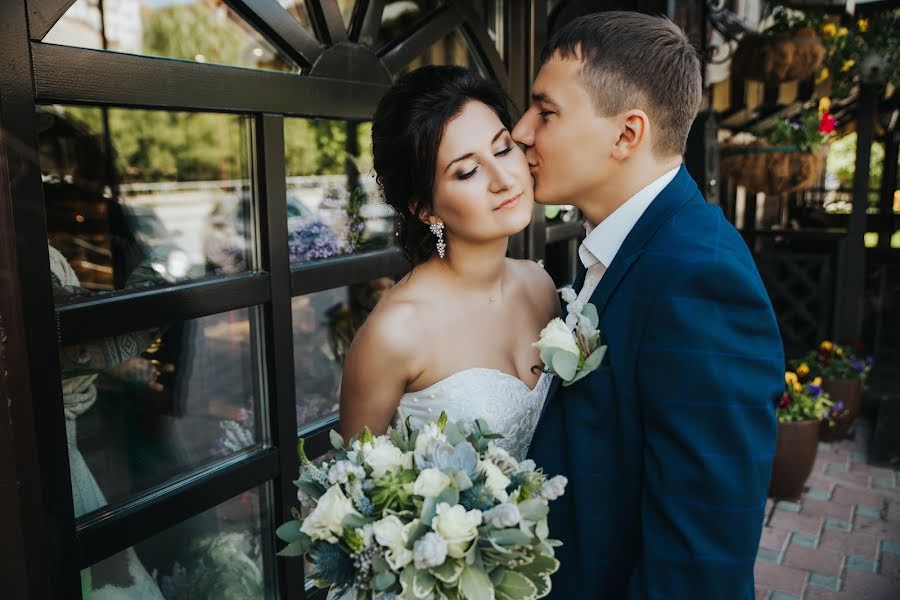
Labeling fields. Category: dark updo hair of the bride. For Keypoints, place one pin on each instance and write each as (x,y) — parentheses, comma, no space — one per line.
(406,133)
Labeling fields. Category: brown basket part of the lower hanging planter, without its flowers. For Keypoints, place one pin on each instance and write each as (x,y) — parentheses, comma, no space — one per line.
(761,167)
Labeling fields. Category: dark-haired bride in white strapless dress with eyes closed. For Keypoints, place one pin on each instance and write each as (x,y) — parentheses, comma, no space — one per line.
(456,333)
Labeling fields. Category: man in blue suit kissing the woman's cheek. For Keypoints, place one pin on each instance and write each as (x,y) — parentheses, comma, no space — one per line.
(668,444)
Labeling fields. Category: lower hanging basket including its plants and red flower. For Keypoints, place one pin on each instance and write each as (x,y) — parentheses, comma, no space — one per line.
(789,156)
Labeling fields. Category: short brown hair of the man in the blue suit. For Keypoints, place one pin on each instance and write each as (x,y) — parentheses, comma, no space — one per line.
(633,60)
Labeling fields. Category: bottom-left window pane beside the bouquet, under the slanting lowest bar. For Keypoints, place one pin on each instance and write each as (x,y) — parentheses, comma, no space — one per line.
(224,553)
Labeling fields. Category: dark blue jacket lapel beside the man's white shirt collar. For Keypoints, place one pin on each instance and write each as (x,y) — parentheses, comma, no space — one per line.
(677,193)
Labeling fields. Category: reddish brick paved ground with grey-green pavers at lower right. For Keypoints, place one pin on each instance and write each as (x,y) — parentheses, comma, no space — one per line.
(841,540)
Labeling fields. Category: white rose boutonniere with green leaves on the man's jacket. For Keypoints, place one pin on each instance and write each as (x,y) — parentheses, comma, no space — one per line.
(571,349)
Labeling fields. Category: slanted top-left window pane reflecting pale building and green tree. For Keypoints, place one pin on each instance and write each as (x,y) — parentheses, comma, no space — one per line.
(195,30)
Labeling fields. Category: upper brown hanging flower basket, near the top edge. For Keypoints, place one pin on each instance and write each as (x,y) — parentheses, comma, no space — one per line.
(779,58)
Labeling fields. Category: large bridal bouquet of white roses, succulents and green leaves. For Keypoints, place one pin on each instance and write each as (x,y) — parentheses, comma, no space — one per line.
(435,513)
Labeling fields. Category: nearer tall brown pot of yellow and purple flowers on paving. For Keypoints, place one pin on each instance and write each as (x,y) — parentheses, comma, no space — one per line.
(801,409)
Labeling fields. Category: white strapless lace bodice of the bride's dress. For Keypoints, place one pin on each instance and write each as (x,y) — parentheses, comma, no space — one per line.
(504,401)
